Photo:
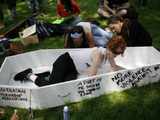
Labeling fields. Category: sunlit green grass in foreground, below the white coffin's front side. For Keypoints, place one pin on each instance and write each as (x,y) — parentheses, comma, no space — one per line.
(134,104)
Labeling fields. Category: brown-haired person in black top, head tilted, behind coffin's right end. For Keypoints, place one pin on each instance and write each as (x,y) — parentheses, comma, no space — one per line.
(131,30)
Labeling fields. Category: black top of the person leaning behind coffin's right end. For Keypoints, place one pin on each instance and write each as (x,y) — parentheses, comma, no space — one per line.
(135,34)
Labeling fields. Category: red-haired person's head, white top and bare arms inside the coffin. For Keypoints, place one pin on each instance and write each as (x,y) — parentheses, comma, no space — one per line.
(116,46)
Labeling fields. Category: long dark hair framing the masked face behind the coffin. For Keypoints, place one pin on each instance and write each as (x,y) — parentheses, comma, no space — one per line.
(78,29)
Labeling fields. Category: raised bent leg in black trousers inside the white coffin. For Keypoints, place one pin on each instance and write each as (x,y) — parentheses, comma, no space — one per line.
(63,69)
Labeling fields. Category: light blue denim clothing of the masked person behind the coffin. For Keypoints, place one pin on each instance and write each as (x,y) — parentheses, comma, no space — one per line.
(100,36)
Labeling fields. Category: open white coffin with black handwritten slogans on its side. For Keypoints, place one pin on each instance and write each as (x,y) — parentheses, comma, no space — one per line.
(142,67)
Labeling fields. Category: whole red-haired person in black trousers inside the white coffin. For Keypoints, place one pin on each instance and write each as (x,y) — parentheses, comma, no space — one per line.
(64,68)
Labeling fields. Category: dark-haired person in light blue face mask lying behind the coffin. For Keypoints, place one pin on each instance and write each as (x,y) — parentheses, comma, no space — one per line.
(87,34)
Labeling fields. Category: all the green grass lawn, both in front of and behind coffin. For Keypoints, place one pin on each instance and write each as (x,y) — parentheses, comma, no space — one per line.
(137,103)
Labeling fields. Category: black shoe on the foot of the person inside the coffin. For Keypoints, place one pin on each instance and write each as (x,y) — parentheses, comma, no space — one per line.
(22,76)
